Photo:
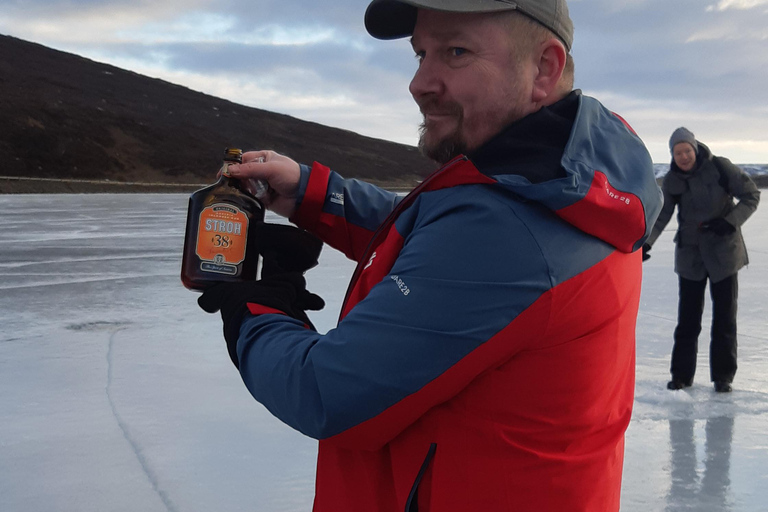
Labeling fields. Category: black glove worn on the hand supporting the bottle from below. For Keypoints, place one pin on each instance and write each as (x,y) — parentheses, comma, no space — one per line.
(285,292)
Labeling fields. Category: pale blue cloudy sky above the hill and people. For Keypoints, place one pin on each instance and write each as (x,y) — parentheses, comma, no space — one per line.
(659,63)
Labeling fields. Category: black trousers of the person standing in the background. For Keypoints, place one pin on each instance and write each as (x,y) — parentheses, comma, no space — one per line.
(722,349)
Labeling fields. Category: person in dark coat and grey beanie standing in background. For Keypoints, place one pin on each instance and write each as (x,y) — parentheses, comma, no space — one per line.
(709,246)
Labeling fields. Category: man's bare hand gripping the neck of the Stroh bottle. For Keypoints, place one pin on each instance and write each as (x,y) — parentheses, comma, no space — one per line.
(280,172)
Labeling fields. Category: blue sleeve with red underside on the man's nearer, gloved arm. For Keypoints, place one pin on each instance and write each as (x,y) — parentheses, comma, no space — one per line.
(465,273)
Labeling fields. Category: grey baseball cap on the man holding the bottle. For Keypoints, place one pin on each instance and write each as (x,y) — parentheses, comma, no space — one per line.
(393,19)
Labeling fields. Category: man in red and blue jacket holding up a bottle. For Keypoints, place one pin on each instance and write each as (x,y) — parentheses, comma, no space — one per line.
(484,359)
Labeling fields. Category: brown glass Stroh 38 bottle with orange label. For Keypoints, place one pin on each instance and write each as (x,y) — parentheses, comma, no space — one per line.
(219,244)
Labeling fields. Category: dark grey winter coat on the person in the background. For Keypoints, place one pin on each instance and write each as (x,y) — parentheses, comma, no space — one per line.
(700,195)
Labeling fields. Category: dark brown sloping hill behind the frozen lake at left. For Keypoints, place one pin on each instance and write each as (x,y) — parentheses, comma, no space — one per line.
(67,117)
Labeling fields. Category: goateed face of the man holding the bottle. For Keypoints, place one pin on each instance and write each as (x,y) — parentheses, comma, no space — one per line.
(471,82)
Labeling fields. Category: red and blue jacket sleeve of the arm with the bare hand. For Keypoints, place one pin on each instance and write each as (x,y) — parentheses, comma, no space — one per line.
(344,213)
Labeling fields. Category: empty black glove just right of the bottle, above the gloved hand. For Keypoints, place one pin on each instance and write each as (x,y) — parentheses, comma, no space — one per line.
(286,248)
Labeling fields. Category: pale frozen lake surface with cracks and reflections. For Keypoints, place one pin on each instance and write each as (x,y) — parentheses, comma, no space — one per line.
(117,394)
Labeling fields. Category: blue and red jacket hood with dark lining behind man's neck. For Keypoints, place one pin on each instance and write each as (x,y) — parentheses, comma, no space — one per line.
(584,163)
